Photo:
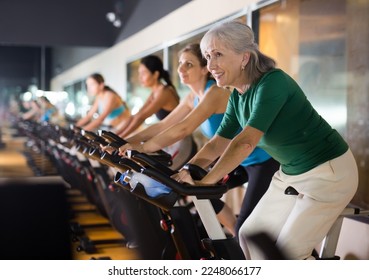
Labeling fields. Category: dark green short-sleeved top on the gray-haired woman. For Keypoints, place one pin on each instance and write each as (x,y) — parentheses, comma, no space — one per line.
(294,133)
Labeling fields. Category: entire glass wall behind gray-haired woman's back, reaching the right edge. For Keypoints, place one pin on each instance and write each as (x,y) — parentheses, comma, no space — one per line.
(324,46)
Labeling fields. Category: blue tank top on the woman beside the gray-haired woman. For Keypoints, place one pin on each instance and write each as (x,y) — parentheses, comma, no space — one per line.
(210,126)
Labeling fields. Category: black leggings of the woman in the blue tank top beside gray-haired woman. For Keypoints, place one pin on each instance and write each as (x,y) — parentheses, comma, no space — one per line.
(258,177)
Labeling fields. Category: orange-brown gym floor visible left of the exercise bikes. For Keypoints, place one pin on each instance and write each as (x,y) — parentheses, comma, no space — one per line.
(13,164)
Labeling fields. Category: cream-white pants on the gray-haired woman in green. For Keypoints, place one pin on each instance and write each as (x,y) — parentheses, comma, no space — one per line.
(300,222)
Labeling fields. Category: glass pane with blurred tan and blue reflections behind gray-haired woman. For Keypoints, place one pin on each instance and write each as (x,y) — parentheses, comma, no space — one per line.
(307,39)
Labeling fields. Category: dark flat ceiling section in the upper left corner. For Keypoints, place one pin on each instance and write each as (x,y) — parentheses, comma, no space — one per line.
(60,22)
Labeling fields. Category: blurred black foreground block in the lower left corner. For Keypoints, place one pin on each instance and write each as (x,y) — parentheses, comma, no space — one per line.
(34,219)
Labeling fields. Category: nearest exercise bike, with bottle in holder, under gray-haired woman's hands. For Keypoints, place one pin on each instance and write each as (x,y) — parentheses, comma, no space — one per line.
(185,234)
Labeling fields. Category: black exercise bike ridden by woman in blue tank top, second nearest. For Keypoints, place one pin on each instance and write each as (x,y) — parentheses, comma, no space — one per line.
(140,216)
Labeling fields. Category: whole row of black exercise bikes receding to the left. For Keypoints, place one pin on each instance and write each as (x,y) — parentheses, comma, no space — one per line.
(141,200)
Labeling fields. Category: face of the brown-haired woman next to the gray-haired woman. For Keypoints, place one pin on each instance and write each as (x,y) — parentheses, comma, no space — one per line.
(189,69)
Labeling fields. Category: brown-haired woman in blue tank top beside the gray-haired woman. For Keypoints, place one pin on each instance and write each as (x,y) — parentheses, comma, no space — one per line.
(204,107)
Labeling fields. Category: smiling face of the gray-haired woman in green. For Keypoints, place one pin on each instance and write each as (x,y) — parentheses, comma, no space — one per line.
(225,65)
